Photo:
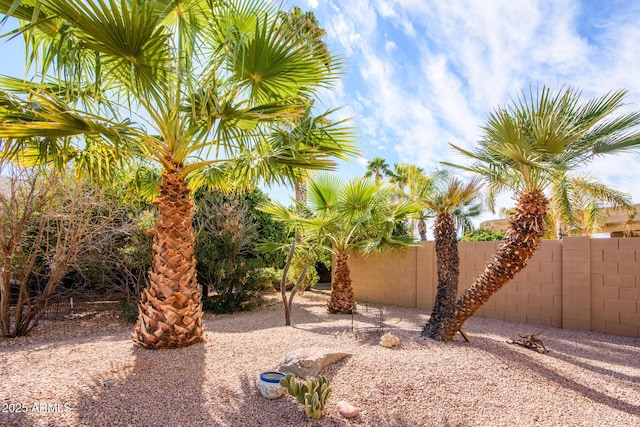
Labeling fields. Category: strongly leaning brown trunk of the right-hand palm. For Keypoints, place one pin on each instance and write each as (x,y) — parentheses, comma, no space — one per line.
(526,228)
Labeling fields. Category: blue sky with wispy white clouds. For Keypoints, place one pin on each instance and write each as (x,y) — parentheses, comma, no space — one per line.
(422,74)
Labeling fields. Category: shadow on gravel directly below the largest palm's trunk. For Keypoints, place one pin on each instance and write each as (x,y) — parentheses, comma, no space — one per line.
(139,389)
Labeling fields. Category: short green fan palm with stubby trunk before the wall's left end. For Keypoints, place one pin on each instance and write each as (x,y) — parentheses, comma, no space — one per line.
(346,218)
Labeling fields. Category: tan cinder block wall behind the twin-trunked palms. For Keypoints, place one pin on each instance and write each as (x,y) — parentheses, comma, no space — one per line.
(574,283)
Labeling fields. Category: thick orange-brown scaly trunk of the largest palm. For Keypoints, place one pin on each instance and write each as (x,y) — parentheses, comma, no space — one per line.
(170,313)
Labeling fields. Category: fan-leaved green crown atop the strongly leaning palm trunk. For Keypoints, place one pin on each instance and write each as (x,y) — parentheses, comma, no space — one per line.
(530,143)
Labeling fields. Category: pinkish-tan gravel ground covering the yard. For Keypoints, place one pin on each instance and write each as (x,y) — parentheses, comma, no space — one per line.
(85,371)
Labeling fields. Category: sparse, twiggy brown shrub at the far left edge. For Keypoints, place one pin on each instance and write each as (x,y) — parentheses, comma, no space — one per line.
(46,223)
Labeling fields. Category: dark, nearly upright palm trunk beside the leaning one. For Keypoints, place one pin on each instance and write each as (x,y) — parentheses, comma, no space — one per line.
(448,267)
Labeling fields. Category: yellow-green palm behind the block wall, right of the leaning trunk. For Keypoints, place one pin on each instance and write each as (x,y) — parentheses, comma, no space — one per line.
(576,205)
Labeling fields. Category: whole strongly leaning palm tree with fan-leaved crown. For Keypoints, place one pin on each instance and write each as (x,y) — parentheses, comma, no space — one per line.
(525,147)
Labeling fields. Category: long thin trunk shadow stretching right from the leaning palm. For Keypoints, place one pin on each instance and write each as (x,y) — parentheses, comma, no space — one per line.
(527,364)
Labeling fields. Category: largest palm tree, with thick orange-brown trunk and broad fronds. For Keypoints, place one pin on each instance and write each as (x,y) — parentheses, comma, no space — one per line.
(188,85)
